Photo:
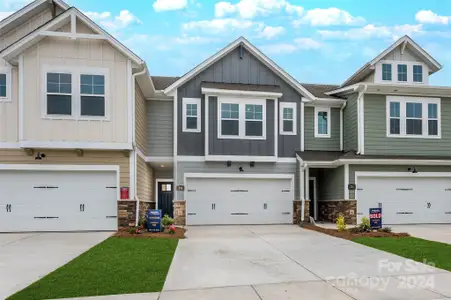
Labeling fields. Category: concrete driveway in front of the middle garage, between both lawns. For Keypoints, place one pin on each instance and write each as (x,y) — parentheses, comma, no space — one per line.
(287,262)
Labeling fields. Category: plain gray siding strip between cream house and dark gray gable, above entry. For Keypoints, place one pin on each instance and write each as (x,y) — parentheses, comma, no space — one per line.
(160,128)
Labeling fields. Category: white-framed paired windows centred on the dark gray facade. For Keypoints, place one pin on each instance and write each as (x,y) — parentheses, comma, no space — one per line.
(241,119)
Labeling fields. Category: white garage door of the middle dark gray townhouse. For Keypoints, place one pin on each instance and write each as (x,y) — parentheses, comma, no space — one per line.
(239,201)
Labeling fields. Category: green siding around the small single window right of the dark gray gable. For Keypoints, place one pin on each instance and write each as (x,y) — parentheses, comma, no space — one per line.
(325,144)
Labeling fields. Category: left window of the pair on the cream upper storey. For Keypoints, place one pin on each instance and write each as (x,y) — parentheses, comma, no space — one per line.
(59,94)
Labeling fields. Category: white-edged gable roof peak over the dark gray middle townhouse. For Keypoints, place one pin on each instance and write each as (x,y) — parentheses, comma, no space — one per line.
(254,51)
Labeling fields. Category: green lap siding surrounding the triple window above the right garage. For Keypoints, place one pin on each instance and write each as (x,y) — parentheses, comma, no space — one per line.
(377,142)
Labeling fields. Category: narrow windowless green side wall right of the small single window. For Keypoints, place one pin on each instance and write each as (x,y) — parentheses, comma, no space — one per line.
(350,123)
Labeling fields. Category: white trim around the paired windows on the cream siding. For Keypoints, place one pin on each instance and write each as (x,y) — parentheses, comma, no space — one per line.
(76,96)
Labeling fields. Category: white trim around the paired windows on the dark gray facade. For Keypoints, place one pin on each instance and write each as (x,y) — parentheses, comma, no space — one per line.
(242,117)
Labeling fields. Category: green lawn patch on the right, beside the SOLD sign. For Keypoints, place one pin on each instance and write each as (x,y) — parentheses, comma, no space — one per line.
(413,248)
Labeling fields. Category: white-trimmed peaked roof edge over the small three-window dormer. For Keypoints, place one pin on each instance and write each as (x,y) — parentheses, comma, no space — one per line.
(364,71)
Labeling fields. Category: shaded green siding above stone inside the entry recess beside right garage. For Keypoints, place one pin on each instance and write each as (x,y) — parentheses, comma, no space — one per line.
(331,184)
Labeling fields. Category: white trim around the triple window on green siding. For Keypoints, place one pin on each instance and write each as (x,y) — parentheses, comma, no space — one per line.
(402,107)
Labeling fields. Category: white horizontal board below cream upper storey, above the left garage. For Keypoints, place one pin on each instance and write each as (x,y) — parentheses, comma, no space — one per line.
(75,145)
